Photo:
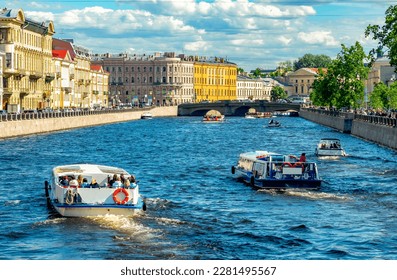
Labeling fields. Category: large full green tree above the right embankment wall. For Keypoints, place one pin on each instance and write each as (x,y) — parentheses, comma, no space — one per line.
(343,83)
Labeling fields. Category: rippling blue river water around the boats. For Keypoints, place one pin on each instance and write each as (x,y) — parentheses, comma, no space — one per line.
(196,210)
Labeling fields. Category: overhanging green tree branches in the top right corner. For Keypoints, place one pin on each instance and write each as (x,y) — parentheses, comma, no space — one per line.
(385,35)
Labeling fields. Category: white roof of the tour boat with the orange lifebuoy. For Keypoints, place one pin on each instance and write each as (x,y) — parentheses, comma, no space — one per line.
(88,169)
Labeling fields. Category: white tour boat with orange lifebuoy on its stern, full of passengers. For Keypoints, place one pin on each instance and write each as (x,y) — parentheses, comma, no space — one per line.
(95,196)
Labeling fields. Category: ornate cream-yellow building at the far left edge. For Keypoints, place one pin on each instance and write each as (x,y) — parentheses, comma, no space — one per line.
(28,69)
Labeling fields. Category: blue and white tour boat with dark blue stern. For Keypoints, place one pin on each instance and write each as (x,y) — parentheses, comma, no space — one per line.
(268,170)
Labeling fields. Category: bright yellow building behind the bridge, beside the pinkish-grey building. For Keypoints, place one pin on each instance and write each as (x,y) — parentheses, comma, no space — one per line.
(214,80)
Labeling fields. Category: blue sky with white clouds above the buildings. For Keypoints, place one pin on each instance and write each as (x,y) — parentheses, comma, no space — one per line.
(251,33)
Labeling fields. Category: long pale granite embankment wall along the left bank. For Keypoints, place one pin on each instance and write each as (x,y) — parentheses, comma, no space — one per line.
(17,128)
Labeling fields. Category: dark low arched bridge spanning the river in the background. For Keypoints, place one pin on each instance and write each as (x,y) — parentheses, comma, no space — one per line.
(234,108)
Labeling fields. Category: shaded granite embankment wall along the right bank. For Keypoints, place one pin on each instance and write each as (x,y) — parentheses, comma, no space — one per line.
(379,130)
